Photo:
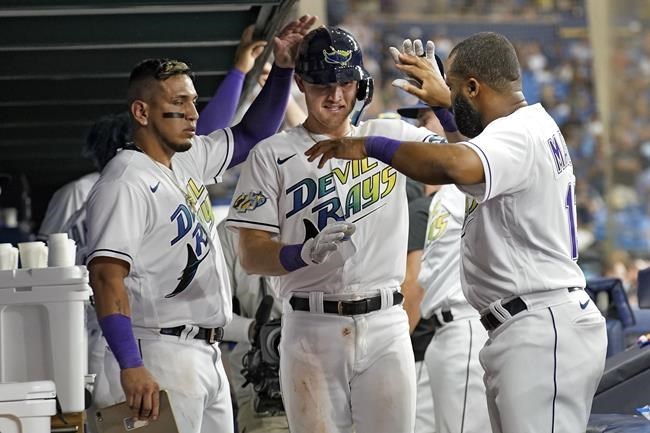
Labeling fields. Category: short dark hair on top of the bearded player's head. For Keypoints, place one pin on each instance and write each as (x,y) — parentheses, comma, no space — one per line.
(488,57)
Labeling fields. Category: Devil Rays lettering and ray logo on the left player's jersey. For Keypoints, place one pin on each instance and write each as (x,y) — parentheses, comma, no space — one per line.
(190,222)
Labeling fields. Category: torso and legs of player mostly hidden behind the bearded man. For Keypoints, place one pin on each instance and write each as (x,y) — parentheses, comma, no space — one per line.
(452,356)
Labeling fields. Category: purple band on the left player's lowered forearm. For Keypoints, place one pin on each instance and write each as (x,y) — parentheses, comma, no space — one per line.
(118,333)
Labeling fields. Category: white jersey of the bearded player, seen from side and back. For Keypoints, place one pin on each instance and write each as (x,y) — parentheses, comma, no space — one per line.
(519,234)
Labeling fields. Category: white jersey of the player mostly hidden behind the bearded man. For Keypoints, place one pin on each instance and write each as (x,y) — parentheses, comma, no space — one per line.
(440,267)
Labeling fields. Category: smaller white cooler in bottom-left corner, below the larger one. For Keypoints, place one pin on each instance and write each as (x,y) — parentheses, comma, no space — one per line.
(26,407)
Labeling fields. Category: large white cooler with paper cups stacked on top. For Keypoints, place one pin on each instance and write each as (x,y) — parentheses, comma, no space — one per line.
(43,332)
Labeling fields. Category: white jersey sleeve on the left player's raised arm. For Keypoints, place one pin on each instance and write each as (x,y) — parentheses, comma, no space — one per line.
(212,154)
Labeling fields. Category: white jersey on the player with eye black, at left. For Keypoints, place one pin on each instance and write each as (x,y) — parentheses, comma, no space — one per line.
(138,212)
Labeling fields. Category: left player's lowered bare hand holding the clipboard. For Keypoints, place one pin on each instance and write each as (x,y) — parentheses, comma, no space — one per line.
(142,392)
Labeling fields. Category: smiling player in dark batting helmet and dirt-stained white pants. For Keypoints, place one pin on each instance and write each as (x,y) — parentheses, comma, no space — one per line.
(345,355)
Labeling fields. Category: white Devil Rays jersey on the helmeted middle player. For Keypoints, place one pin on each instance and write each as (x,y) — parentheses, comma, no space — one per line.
(279,191)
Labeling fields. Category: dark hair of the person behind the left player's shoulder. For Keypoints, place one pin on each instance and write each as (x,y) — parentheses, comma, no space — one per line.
(105,137)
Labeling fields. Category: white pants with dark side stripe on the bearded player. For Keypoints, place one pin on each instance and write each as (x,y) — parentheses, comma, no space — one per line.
(542,366)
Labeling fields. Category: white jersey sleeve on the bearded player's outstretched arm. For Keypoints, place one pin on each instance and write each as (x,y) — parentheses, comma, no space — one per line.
(505,152)
